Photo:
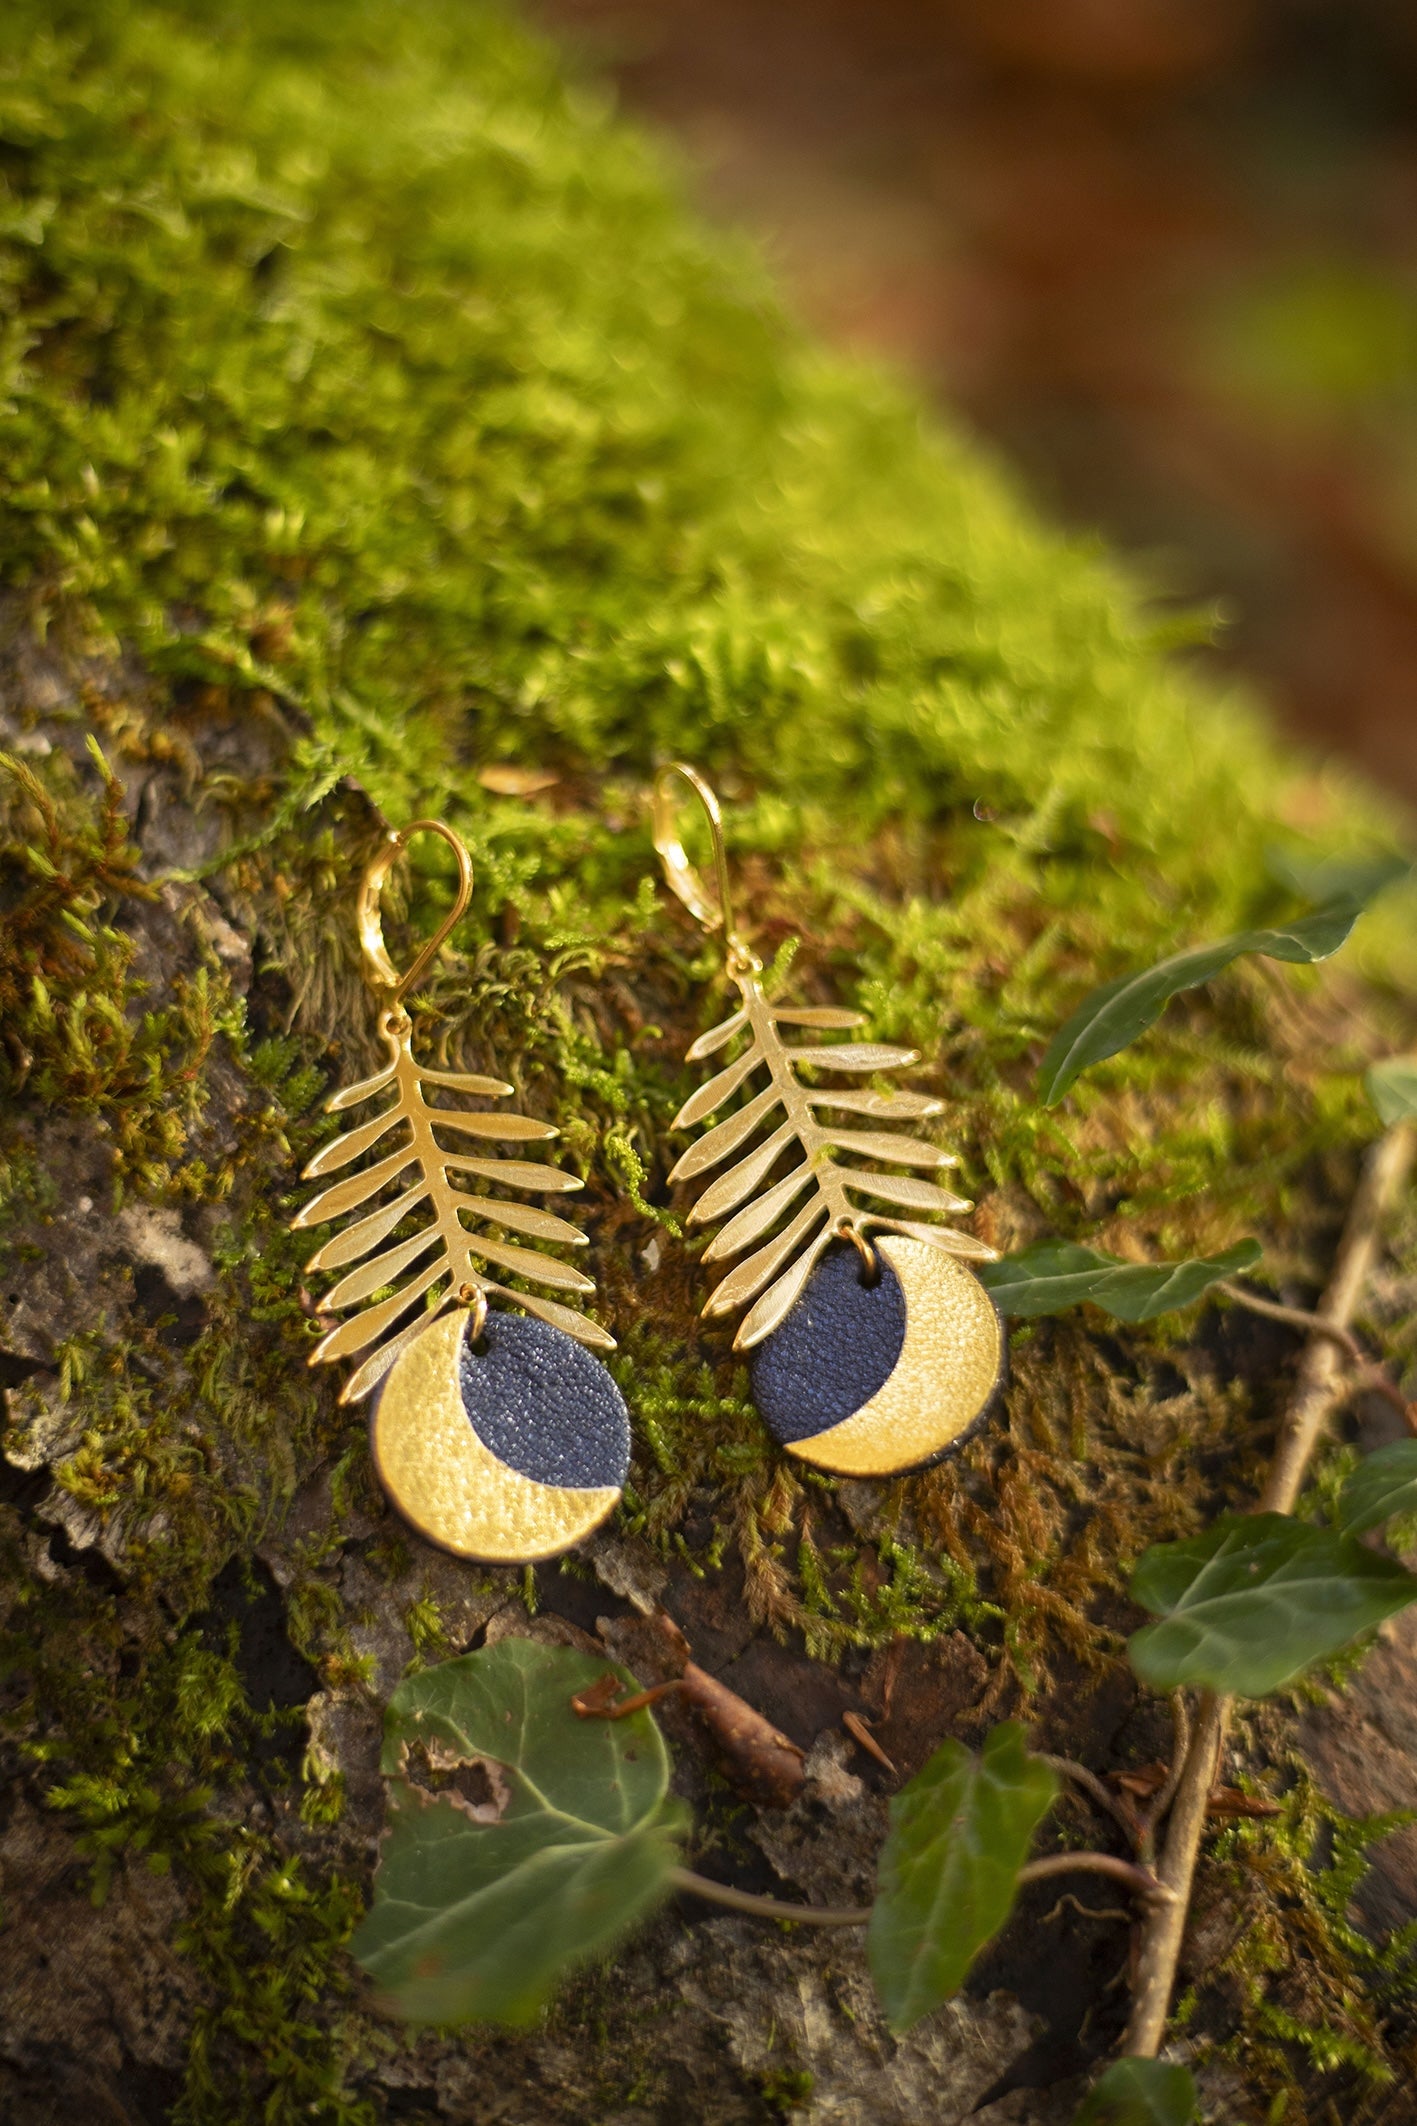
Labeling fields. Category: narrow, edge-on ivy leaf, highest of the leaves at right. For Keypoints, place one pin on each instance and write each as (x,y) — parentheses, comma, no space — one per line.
(1112,1017)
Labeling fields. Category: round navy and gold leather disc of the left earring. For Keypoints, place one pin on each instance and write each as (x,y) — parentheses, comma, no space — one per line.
(502,1455)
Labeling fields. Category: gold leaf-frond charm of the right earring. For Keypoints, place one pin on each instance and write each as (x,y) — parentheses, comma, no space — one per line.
(776,1270)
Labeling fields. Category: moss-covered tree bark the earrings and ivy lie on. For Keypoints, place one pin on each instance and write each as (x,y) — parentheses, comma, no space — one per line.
(375,418)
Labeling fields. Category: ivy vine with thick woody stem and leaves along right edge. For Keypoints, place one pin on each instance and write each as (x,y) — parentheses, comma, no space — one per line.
(1244,1608)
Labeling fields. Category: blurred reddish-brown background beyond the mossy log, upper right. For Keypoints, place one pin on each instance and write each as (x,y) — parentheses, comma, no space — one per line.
(1161,252)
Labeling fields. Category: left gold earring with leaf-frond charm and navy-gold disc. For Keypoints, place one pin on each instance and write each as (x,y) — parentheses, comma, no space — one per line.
(498,1436)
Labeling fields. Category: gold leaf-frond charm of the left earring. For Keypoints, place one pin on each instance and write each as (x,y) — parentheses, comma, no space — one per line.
(443,1260)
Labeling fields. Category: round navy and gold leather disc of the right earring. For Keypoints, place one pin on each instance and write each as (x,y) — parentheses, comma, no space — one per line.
(870,1381)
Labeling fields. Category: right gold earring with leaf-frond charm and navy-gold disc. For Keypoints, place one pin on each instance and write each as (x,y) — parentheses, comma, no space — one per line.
(870,1355)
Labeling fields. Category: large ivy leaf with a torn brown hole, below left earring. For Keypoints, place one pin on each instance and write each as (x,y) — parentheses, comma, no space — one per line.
(551,1840)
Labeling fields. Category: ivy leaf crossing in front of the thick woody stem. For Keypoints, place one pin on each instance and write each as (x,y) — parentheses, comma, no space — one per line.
(1257,1600)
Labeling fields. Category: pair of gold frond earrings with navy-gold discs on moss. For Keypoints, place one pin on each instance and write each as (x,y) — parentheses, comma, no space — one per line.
(498,1434)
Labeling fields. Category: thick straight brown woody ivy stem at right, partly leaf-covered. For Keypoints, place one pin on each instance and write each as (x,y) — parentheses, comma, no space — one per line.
(1303,1425)
